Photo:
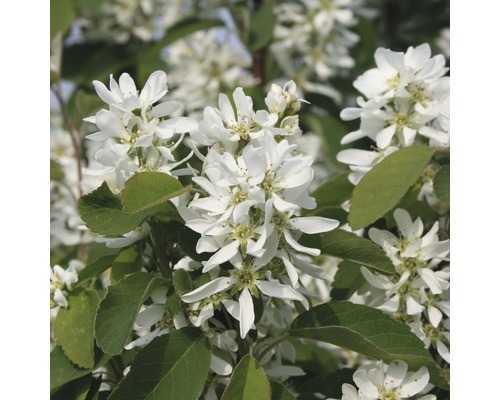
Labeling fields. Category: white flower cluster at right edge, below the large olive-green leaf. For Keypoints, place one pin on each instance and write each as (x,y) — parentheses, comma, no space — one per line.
(418,293)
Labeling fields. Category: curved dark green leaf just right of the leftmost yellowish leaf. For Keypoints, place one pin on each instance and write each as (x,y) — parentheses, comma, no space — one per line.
(118,310)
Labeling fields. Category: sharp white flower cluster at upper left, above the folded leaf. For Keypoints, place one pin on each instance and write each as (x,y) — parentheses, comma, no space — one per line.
(136,131)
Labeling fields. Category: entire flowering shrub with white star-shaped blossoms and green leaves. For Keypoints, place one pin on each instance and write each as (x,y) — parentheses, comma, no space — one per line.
(227,224)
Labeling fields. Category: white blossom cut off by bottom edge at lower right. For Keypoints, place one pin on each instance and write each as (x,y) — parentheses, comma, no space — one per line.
(377,381)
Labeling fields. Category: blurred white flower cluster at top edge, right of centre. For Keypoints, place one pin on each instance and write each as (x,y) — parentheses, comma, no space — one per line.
(312,42)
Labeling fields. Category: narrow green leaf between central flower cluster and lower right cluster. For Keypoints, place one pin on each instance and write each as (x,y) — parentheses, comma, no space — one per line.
(350,247)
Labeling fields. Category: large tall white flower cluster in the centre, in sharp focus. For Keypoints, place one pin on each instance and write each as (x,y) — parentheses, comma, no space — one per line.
(254,186)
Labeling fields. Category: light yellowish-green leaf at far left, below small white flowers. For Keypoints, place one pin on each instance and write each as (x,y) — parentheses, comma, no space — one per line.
(74,327)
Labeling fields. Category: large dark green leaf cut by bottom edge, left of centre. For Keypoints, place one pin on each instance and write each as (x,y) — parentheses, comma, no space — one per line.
(173,366)
